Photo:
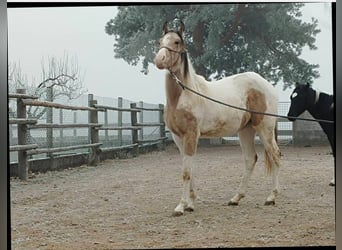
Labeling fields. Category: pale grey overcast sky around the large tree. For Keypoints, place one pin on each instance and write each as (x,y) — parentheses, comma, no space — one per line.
(38,33)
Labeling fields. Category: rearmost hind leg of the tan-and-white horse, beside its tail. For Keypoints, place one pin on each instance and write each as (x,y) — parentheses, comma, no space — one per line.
(272,161)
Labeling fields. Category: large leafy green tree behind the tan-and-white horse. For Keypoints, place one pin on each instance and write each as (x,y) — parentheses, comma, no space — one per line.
(223,39)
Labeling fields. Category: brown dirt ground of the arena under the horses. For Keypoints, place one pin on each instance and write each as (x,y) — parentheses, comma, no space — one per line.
(128,203)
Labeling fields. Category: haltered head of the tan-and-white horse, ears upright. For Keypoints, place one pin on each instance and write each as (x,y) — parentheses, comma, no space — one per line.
(172,52)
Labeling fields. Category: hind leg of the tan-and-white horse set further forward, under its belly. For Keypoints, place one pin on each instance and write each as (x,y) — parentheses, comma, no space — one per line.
(248,149)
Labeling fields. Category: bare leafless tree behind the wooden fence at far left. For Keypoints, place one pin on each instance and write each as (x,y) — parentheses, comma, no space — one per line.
(63,75)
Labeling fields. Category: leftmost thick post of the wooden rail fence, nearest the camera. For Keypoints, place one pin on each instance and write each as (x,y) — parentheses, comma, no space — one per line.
(22,138)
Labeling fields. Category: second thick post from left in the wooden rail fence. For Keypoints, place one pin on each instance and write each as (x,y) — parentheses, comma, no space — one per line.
(94,154)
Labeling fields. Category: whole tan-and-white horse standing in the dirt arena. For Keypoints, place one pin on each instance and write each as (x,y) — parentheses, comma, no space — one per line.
(189,116)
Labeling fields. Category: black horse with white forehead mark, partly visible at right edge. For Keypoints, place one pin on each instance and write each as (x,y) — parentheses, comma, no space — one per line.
(320,105)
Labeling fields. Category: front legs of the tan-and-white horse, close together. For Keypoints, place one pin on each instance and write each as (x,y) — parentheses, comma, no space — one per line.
(187,146)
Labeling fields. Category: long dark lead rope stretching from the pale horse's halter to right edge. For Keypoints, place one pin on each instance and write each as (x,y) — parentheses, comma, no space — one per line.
(183,86)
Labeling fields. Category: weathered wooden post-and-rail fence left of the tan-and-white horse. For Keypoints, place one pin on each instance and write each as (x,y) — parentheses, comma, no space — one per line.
(24,124)
